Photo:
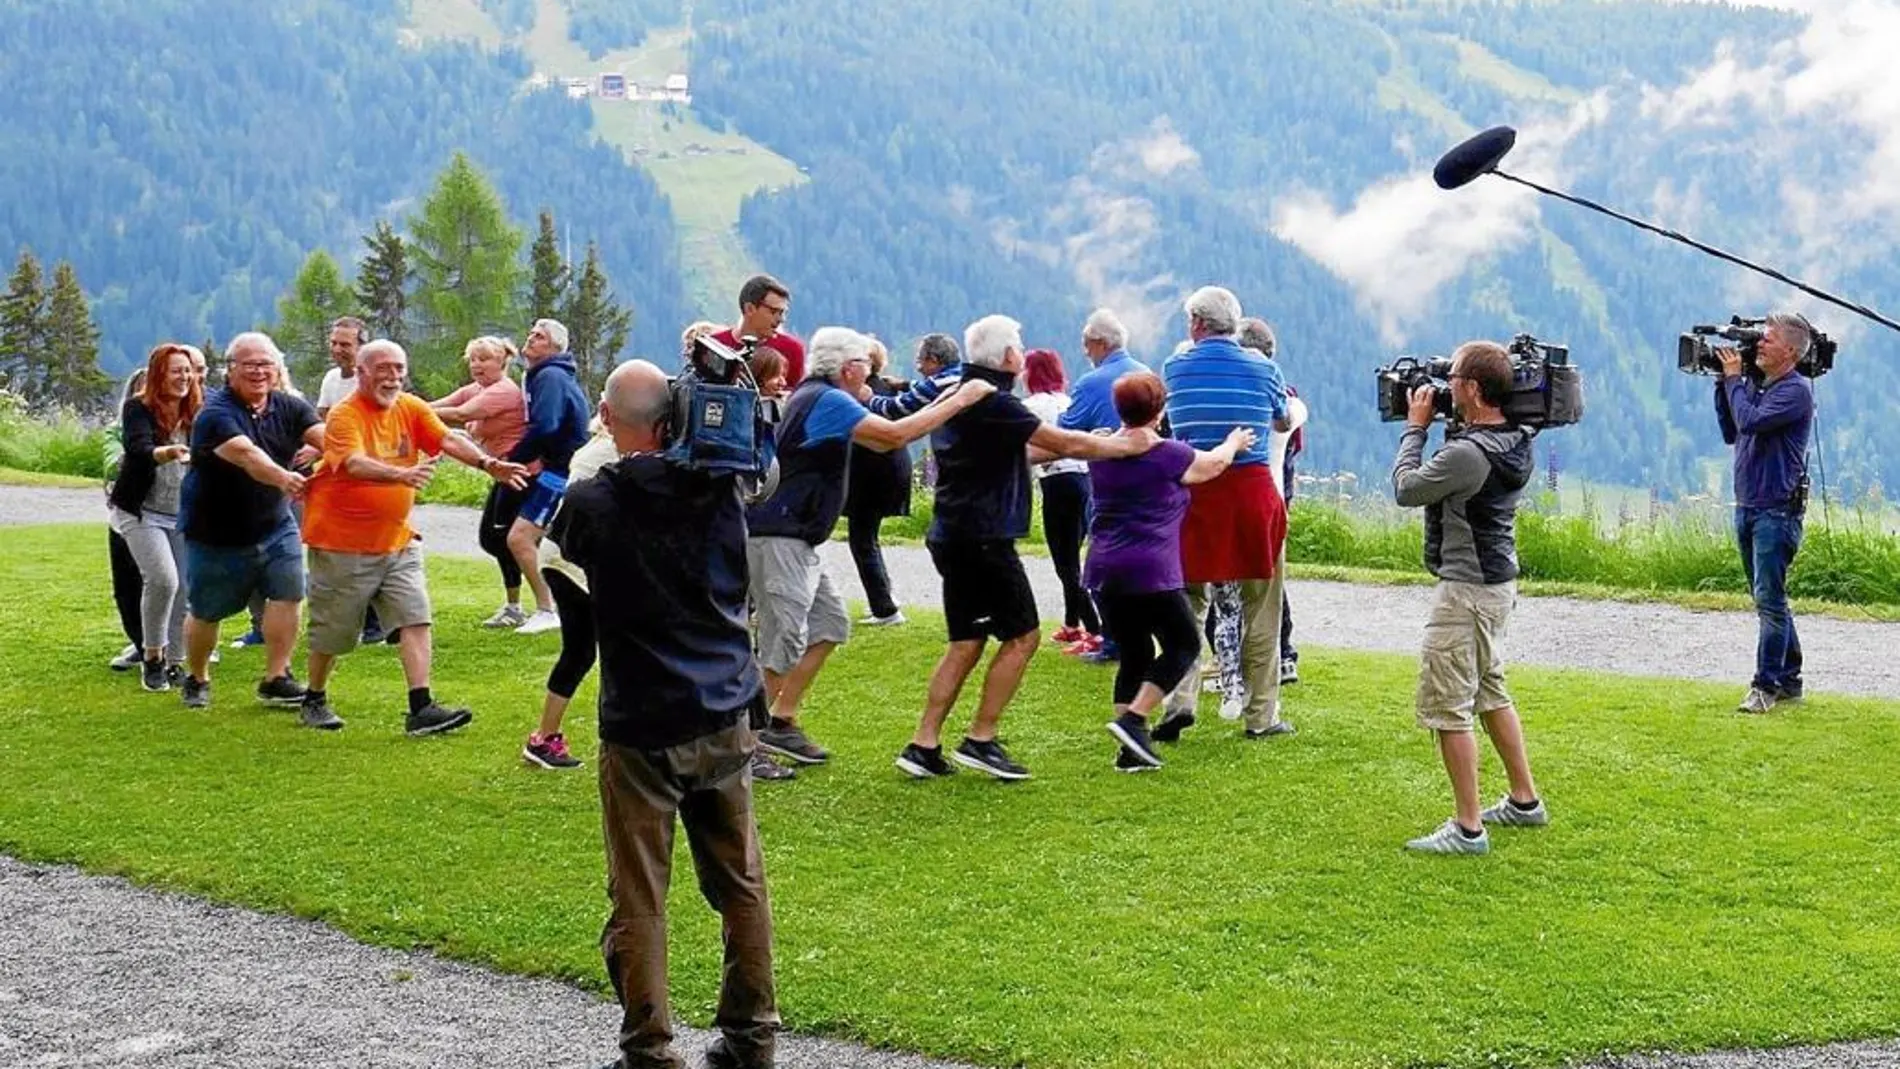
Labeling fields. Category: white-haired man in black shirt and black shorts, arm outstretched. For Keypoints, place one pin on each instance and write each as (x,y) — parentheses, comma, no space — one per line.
(983,508)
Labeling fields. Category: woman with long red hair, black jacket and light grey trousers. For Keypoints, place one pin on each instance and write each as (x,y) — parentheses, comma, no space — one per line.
(157,428)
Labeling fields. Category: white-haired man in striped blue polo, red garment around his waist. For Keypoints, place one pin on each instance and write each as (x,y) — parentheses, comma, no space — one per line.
(1236,529)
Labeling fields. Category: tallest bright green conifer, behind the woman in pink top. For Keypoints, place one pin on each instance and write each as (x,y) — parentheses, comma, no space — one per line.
(468,272)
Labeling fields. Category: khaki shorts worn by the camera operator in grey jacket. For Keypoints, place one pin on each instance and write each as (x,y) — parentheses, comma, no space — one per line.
(1462,667)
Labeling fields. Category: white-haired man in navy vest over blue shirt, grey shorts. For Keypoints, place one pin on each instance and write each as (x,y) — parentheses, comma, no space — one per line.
(801,616)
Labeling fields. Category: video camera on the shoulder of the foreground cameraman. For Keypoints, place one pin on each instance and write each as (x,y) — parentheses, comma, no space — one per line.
(719,421)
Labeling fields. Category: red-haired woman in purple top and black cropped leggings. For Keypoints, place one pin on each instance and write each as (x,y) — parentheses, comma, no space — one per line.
(1135,561)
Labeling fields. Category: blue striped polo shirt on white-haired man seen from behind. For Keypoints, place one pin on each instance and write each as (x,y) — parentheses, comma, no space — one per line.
(1219,386)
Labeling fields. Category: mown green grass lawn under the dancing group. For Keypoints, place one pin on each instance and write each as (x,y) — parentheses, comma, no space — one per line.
(1709,882)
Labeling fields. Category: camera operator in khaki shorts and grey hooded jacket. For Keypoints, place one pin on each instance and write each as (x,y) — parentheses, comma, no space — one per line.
(1470,491)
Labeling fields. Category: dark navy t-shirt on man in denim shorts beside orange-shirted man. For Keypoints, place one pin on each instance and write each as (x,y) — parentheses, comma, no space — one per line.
(221,502)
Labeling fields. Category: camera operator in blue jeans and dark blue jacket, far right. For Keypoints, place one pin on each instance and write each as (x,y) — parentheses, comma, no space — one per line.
(1768,424)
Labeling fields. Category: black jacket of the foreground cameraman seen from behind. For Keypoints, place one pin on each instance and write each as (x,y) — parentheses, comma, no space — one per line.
(664,552)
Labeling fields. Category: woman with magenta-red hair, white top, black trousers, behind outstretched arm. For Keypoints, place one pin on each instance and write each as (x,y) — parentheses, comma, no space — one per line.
(1065,504)
